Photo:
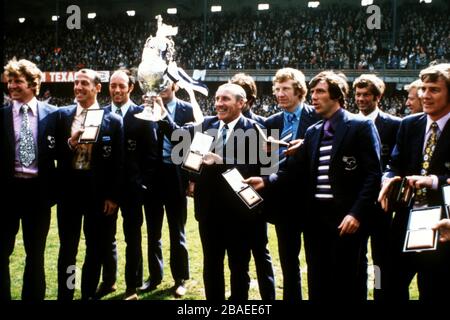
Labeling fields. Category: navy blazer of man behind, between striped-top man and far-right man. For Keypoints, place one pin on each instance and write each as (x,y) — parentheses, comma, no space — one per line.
(387,127)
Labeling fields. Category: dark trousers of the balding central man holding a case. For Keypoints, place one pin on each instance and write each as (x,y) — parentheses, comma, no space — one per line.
(218,238)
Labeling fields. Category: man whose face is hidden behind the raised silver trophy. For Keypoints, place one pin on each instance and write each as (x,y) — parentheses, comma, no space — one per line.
(167,191)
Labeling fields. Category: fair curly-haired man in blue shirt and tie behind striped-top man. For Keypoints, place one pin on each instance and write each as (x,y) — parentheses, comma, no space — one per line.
(290,125)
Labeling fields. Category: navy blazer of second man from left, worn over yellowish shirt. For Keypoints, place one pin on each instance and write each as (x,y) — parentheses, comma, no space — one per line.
(107,156)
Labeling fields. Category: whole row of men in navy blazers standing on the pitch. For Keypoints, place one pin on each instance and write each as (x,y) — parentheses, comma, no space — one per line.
(332,169)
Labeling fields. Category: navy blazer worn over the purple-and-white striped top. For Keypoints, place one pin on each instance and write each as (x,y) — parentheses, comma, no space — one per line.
(355,167)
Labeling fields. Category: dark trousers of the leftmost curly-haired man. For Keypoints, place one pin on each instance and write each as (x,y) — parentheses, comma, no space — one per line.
(34,213)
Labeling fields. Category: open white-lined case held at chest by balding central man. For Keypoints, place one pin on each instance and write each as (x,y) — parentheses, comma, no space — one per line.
(201,144)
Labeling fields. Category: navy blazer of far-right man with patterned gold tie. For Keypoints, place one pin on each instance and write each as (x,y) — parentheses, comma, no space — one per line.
(407,156)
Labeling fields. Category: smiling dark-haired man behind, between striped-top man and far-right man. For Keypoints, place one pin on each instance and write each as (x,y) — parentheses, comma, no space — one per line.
(369,90)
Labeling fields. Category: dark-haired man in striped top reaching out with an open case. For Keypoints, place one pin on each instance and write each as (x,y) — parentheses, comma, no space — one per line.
(339,166)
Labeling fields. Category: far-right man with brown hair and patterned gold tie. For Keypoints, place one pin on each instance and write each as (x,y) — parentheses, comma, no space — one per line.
(422,155)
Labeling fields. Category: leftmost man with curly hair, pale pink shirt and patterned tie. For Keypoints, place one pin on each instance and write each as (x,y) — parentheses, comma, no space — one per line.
(27,173)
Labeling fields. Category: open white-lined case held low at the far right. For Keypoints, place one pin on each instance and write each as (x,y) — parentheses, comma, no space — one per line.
(420,235)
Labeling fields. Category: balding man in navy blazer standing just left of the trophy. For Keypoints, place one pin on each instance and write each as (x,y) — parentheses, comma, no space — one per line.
(140,153)
